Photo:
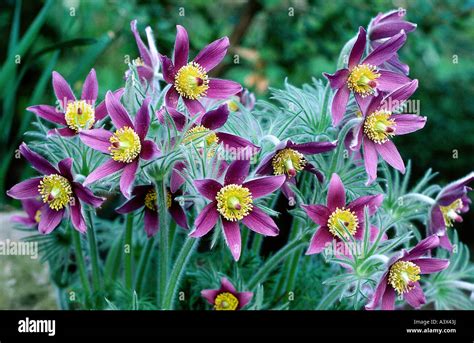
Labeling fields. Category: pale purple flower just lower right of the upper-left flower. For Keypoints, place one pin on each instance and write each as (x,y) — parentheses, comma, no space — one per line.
(126,146)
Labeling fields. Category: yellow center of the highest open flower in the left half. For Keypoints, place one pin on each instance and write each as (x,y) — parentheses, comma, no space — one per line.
(191,81)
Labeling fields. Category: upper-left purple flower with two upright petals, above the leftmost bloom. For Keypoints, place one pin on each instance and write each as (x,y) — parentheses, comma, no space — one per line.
(75,115)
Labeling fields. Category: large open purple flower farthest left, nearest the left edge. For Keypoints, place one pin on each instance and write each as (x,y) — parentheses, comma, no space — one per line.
(57,189)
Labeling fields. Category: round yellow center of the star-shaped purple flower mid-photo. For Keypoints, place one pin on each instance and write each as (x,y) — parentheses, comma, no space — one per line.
(234,202)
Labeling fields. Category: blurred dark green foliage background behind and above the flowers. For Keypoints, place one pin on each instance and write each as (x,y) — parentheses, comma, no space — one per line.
(273,39)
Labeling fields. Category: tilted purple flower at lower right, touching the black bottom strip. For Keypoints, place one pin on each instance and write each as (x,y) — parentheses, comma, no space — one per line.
(403,275)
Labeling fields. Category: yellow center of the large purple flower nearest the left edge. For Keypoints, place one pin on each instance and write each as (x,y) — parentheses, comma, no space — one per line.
(56,191)
